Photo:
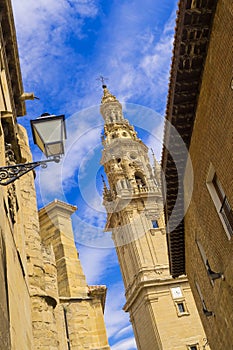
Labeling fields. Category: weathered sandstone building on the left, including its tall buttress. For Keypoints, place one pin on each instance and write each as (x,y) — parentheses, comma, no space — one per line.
(45,302)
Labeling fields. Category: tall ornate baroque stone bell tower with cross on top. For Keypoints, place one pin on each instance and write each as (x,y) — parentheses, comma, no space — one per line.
(162,310)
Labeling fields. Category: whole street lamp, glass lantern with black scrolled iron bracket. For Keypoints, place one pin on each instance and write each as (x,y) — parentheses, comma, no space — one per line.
(49,134)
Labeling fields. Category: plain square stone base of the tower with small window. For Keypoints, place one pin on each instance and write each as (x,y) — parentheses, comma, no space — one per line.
(164,316)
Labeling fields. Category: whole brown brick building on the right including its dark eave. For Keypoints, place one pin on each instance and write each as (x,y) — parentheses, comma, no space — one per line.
(200,108)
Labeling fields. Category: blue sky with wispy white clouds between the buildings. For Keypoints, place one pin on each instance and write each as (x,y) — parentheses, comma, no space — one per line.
(64,46)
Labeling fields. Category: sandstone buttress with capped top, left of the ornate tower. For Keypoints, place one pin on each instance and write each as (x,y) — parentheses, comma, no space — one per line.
(81,306)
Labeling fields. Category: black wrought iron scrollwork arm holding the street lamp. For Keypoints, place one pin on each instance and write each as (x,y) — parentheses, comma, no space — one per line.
(10,173)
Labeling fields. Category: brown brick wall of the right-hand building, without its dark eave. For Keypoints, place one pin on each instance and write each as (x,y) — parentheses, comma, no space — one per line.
(211,148)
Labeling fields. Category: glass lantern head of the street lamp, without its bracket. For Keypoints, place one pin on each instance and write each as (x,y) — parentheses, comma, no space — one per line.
(49,134)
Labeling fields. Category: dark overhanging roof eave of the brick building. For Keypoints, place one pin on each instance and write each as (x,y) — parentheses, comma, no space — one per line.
(192,36)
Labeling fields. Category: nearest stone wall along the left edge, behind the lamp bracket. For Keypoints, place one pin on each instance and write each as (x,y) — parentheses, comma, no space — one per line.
(15,303)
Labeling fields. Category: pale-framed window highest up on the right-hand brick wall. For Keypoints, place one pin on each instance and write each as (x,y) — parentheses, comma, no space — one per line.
(220,201)
